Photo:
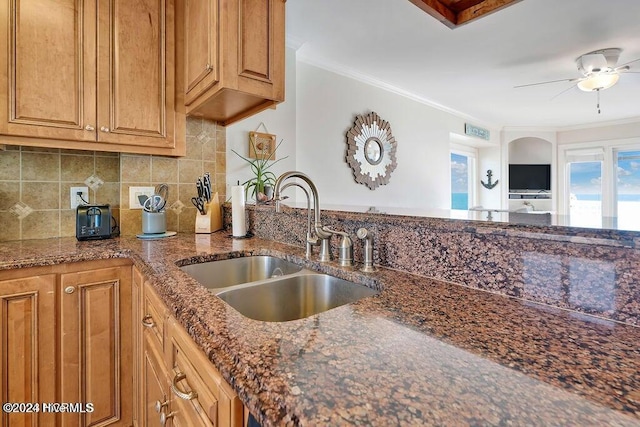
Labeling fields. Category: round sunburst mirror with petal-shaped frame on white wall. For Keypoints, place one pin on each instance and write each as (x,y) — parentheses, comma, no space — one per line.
(371,150)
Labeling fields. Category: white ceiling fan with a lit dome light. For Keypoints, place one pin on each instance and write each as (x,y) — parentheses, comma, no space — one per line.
(599,72)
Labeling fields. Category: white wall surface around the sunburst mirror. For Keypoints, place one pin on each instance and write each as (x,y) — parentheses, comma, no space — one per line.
(327,104)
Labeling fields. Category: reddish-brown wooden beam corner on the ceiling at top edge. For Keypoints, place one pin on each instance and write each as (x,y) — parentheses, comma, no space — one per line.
(445,10)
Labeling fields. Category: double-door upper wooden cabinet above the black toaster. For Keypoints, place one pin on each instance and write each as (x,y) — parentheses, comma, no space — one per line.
(90,75)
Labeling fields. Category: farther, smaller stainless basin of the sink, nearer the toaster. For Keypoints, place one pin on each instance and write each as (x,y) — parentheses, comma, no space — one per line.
(235,271)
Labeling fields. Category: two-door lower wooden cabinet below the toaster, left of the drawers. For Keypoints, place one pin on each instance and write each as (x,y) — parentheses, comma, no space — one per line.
(67,338)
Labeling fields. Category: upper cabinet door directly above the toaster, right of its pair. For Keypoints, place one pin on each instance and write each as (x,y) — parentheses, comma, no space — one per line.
(136,88)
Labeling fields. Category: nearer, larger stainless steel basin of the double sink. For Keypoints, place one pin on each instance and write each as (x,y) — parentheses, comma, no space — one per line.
(293,297)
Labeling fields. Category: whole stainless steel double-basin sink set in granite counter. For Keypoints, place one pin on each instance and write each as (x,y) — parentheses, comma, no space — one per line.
(271,289)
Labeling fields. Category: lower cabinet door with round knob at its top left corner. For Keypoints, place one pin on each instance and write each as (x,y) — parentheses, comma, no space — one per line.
(96,345)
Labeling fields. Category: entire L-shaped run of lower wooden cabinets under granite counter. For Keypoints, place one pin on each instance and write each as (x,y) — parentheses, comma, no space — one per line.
(96,335)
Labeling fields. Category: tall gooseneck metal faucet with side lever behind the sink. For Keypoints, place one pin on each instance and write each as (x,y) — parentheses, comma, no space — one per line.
(321,235)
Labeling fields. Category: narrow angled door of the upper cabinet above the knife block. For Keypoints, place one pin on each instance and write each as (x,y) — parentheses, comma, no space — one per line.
(201,42)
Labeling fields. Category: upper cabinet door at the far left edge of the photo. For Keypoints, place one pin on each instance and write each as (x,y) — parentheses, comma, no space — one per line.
(47,78)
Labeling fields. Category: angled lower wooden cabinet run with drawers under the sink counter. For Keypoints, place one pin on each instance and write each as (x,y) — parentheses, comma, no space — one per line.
(183,389)
